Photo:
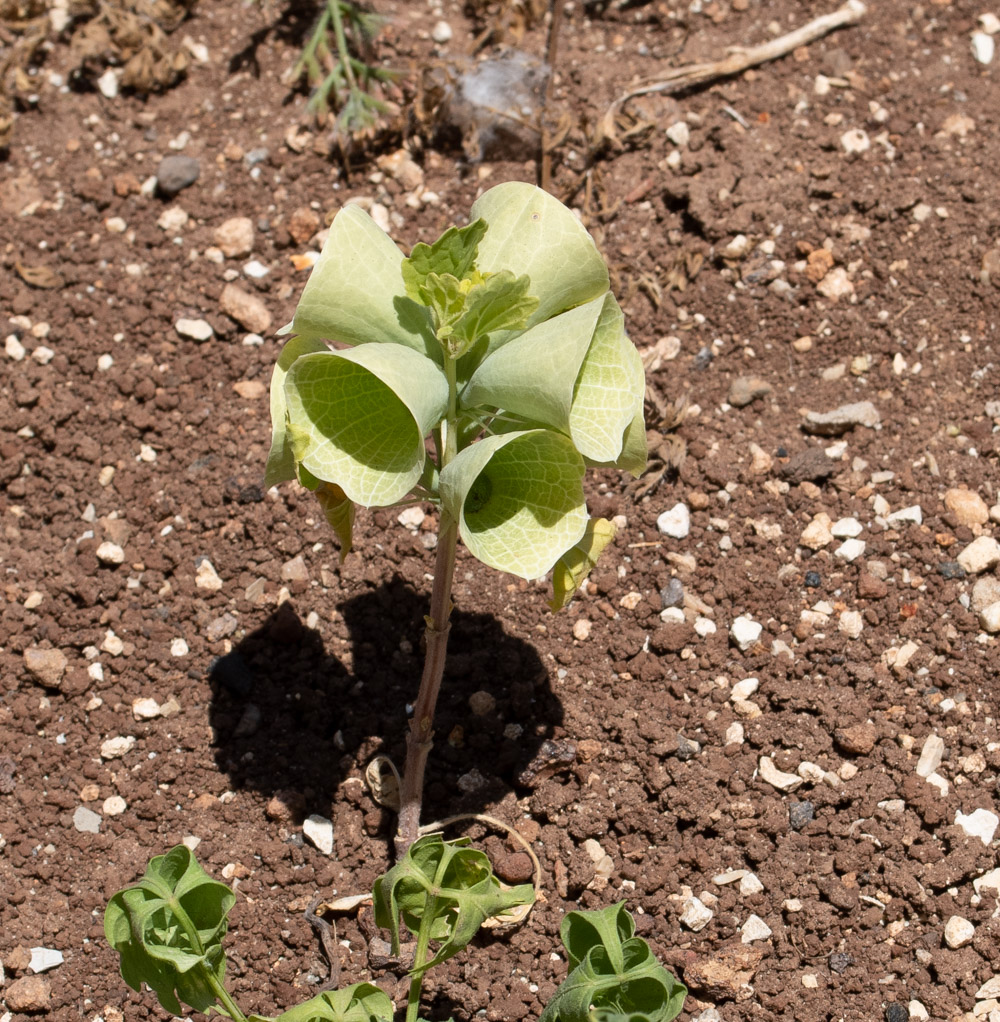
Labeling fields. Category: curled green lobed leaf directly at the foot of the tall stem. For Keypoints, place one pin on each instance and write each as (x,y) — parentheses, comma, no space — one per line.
(449,882)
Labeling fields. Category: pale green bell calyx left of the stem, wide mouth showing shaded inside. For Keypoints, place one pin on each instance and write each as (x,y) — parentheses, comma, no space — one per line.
(357,419)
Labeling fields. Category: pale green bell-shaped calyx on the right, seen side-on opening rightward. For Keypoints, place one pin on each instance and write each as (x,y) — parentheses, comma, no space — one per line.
(577,373)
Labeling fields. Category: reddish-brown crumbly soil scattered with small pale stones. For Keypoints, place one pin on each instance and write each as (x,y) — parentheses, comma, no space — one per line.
(297,672)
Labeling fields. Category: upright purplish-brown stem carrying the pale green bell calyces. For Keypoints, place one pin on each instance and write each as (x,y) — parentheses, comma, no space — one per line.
(421,739)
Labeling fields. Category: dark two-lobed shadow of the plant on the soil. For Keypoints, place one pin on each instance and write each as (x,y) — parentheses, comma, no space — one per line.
(292,717)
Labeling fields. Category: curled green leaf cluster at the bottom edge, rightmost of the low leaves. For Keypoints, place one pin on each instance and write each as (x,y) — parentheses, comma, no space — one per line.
(615,977)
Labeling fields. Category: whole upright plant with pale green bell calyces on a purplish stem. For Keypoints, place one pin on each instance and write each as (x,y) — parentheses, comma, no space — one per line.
(484,375)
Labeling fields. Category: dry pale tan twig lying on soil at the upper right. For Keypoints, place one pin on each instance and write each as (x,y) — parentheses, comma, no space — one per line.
(739,61)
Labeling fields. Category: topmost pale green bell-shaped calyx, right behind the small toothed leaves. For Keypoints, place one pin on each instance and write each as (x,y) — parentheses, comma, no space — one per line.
(532,233)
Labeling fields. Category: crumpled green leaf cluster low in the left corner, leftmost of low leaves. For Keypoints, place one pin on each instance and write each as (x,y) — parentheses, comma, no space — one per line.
(168,930)
